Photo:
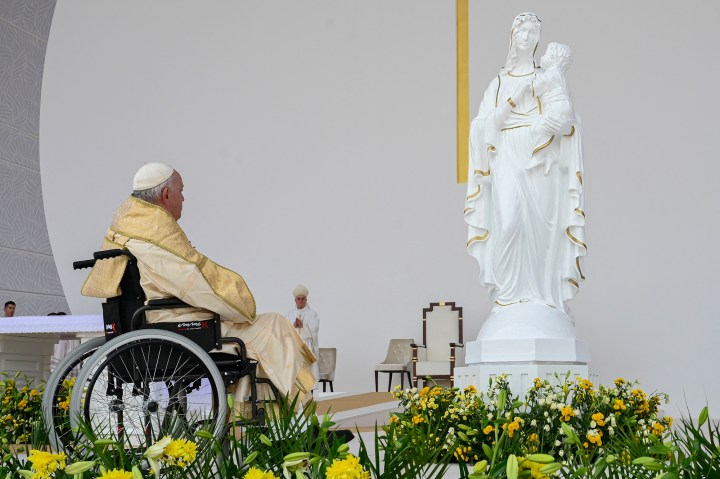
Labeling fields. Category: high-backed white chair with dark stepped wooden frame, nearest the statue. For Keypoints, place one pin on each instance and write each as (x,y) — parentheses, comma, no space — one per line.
(442,334)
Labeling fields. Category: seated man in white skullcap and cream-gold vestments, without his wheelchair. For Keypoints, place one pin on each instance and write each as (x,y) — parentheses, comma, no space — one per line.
(170,267)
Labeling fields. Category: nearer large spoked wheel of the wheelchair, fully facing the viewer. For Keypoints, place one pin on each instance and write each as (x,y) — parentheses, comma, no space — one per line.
(148,384)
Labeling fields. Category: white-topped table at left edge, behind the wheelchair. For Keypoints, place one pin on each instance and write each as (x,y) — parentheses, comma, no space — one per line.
(27,342)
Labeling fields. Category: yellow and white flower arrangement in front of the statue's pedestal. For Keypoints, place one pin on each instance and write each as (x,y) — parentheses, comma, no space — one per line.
(564,423)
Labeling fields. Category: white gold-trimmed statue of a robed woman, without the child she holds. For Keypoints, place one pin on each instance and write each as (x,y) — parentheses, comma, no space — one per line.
(524,206)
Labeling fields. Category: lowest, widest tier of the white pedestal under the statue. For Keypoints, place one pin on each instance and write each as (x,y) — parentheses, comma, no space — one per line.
(519,375)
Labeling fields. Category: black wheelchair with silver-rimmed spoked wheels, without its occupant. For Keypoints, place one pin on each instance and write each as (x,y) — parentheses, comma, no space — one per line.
(144,381)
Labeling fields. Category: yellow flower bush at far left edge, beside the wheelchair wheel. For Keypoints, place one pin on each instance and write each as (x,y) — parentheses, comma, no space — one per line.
(20,408)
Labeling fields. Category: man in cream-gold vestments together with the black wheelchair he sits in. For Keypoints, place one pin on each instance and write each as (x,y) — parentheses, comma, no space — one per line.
(181,330)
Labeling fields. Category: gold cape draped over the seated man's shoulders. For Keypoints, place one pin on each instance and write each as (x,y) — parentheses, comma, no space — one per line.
(139,220)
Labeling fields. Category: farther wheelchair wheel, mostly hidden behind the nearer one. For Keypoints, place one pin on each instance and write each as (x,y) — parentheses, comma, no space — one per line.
(58,389)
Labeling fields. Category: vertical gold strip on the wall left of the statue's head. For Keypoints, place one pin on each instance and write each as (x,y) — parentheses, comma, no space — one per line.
(463,89)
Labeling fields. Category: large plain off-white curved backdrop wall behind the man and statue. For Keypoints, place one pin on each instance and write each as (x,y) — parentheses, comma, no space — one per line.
(317,143)
